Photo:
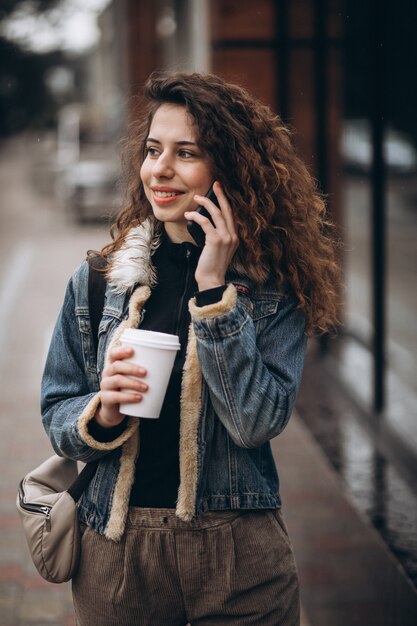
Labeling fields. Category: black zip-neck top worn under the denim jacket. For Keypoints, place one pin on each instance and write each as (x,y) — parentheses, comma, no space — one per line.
(157,470)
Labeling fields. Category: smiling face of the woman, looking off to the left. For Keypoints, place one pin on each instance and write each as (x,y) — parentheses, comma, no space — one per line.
(174,169)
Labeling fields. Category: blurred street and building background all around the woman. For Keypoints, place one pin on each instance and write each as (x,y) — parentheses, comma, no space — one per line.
(348,467)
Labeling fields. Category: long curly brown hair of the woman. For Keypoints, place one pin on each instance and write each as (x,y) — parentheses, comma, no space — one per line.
(280,216)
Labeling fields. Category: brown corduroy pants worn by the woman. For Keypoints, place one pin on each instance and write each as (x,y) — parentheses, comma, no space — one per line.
(222,568)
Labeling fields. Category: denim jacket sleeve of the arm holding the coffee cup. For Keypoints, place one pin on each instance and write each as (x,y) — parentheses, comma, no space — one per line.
(68,403)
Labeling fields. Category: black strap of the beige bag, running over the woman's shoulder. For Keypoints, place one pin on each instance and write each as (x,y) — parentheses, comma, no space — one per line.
(96,295)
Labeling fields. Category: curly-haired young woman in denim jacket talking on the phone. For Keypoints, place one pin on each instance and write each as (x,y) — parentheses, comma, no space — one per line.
(182,521)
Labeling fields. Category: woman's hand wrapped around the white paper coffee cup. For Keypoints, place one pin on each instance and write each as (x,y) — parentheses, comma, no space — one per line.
(117,376)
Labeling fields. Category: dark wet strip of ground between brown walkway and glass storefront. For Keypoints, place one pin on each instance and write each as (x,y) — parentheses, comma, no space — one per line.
(373,475)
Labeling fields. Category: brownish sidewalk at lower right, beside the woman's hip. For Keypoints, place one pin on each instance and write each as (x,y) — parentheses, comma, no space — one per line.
(347,575)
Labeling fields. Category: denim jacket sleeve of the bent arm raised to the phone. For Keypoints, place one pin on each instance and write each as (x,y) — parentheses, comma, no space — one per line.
(252,379)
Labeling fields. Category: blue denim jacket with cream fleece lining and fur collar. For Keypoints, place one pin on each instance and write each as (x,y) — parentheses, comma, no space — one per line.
(241,375)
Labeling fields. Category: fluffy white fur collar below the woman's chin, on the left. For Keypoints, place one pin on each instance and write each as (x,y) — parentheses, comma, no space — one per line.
(131,264)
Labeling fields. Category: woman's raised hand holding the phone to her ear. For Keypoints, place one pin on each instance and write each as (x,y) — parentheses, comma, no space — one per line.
(221,240)
